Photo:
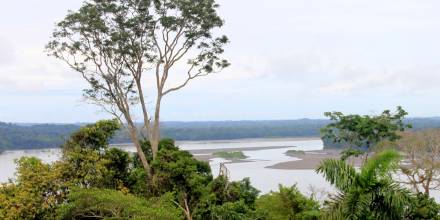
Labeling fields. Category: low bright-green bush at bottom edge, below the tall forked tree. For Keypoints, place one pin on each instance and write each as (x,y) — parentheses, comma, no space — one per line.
(111,204)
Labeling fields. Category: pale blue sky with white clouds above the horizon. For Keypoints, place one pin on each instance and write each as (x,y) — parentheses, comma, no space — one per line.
(290,59)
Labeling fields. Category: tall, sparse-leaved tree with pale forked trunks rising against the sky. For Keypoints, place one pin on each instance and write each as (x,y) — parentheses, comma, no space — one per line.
(128,49)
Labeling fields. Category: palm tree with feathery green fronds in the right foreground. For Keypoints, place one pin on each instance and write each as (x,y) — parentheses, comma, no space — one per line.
(368,193)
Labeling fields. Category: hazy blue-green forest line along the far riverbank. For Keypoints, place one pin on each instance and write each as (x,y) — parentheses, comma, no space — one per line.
(33,136)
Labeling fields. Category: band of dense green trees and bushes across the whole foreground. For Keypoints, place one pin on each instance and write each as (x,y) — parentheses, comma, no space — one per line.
(95,181)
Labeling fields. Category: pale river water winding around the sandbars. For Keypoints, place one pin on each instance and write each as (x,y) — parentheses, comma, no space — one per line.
(261,153)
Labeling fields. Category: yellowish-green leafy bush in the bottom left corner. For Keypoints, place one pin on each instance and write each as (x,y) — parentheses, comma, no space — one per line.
(36,193)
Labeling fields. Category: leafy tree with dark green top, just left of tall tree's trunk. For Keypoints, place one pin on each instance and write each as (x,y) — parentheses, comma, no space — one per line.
(87,161)
